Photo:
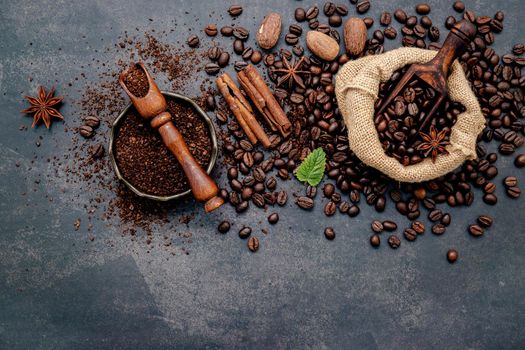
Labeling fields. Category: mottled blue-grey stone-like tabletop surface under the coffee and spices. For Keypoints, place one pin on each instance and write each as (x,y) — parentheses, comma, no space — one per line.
(58,290)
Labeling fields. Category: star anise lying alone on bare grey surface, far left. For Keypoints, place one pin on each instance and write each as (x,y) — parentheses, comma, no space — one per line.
(42,107)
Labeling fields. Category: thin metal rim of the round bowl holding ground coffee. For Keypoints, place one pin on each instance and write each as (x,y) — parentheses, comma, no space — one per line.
(214,148)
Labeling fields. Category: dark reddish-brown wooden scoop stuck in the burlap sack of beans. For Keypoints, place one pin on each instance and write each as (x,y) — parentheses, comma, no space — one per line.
(435,72)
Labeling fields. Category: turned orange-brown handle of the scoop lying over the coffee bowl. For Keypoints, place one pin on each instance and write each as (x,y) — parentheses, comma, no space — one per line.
(203,187)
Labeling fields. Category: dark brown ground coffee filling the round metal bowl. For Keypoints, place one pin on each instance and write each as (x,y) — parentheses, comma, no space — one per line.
(146,162)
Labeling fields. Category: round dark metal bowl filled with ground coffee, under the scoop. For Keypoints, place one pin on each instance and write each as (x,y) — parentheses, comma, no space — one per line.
(145,164)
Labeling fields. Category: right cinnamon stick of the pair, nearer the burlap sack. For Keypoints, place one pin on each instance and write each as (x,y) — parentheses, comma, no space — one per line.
(263,99)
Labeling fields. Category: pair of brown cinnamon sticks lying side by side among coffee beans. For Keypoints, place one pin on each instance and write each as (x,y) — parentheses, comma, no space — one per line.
(263,99)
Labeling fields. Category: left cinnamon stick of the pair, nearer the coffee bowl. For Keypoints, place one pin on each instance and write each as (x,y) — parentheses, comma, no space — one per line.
(242,110)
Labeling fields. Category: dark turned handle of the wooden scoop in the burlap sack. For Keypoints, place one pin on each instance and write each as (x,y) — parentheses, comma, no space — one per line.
(454,46)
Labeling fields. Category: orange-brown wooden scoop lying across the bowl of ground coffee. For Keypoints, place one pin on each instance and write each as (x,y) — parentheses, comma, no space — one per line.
(152,106)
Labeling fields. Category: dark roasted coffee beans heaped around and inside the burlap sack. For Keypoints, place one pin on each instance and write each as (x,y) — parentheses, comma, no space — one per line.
(254,175)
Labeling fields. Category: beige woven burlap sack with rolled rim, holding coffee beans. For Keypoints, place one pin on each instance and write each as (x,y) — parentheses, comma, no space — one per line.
(357,85)
